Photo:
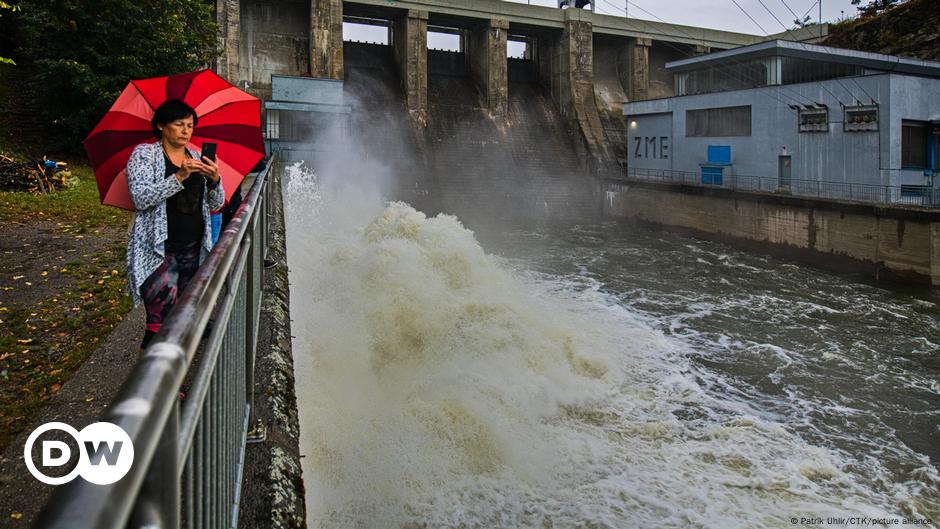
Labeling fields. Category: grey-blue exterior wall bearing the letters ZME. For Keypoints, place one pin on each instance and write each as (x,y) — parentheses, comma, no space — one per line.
(836,156)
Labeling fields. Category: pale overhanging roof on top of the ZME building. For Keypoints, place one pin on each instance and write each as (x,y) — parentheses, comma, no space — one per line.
(786,48)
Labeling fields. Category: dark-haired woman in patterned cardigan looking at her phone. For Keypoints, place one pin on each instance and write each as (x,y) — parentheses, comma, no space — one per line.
(173,189)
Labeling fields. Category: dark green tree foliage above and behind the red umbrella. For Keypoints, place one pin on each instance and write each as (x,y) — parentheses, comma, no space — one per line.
(84,53)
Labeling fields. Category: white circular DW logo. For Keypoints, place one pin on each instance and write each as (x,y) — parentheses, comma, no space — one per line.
(105,453)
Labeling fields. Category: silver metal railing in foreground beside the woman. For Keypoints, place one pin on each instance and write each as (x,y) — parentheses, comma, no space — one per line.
(189,454)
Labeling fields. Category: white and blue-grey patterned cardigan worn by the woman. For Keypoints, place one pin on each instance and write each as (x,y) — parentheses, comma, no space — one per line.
(149,190)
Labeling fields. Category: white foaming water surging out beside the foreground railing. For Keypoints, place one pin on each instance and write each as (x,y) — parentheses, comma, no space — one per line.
(438,387)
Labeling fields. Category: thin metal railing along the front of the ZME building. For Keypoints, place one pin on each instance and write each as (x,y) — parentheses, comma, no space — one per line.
(838,191)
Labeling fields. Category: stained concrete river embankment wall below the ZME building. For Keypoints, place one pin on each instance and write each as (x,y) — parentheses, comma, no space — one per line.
(888,242)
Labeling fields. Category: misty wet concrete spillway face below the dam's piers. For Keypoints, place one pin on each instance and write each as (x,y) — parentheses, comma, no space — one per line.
(458,158)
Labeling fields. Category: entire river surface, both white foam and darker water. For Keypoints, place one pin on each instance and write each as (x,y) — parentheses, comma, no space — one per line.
(596,377)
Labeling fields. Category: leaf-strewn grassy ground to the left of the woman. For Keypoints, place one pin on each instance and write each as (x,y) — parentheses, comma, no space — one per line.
(62,291)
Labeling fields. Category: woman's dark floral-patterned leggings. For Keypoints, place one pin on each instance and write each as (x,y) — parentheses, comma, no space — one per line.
(165,285)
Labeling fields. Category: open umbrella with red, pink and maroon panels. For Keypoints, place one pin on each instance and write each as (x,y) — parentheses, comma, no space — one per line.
(227,116)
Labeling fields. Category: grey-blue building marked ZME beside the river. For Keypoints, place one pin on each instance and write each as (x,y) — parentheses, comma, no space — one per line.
(793,117)
